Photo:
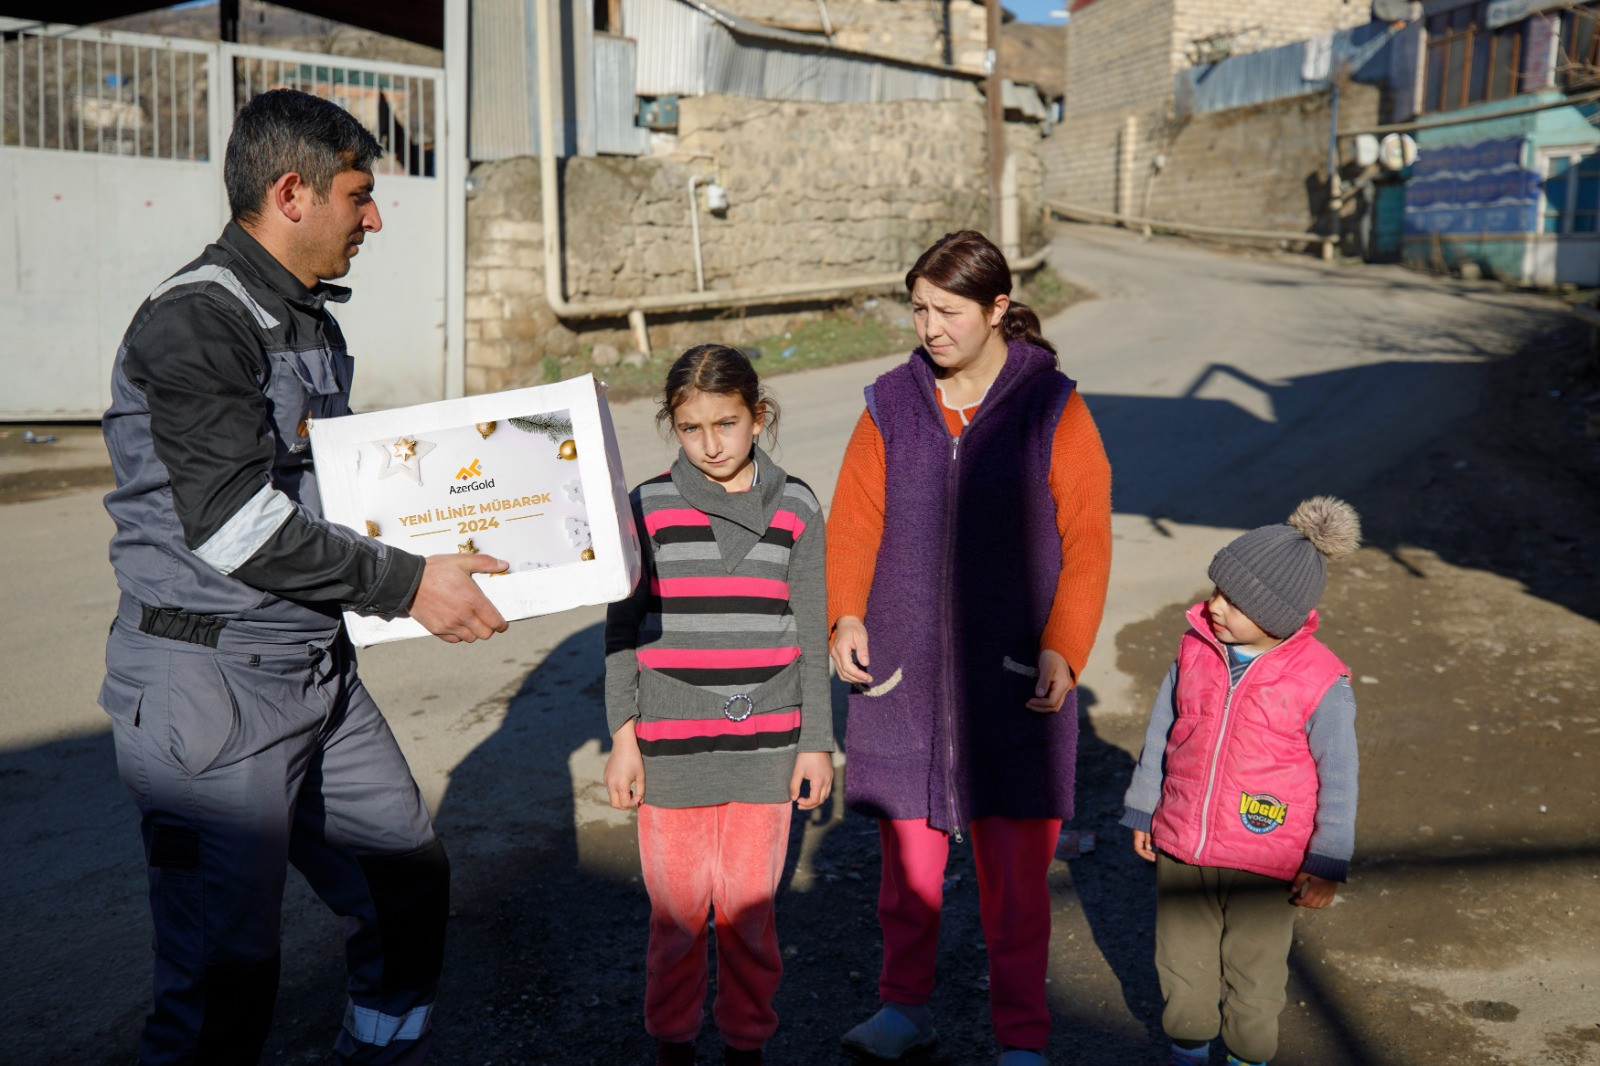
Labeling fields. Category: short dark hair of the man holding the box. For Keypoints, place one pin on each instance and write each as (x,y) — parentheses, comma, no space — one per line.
(287,130)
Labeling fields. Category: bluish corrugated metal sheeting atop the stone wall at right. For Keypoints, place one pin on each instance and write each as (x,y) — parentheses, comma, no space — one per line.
(1278,73)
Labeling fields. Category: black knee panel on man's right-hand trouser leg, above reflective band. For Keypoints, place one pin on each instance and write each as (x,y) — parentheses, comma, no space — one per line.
(412,897)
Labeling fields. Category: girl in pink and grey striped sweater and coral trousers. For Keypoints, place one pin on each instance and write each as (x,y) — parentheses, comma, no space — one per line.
(718,695)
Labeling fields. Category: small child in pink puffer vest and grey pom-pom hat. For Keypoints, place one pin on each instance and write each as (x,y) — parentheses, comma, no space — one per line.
(1246,793)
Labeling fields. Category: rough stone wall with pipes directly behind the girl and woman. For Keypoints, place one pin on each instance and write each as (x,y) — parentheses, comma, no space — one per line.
(815,191)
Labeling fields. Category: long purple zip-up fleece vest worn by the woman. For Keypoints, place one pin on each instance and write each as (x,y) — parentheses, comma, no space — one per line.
(964,585)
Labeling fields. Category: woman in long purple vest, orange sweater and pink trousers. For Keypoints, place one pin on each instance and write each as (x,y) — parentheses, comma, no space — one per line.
(970,539)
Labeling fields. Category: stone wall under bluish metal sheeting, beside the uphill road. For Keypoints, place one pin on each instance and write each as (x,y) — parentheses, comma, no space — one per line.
(1260,167)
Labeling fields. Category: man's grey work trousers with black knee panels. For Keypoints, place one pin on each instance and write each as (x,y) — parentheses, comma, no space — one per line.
(244,759)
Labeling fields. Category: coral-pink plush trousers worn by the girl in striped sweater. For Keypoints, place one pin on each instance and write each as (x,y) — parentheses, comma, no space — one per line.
(726,859)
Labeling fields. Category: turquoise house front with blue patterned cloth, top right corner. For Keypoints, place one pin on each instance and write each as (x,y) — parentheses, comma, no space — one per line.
(1508,174)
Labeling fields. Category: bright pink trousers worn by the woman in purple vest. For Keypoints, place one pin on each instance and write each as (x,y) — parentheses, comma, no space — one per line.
(1014,904)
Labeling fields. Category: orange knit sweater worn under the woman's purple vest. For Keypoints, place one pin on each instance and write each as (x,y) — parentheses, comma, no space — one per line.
(1079,481)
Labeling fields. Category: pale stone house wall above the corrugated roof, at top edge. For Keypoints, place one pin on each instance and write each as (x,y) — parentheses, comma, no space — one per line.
(905,30)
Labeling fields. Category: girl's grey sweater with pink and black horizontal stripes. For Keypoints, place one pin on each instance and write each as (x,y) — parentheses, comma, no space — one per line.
(722,649)
